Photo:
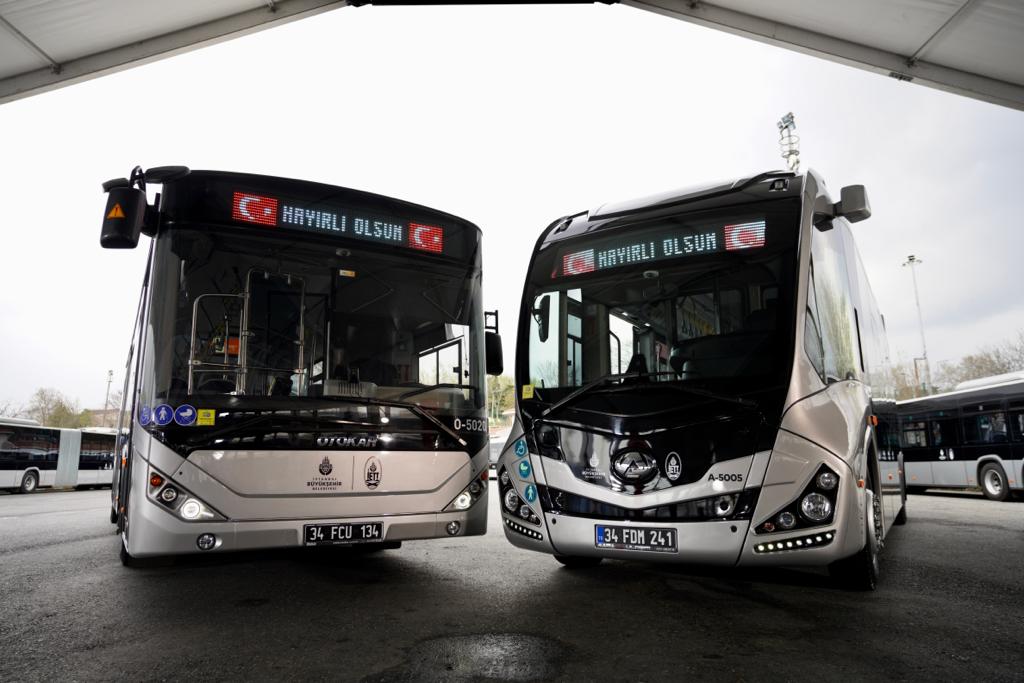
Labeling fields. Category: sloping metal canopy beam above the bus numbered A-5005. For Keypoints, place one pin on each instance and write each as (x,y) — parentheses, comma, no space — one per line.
(903,68)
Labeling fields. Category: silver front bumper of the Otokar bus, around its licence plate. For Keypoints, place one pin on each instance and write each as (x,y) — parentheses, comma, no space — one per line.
(154,532)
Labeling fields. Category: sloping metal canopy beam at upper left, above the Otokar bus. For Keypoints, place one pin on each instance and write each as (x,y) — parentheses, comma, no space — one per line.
(59,75)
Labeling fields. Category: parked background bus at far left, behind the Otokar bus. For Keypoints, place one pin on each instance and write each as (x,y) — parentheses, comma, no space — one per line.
(33,456)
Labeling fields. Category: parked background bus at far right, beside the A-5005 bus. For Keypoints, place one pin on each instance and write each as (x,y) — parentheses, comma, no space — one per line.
(973,437)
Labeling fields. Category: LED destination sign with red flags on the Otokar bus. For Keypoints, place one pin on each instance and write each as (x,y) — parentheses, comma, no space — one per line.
(273,214)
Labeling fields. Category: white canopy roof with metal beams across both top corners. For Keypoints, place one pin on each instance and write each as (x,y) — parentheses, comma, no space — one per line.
(971,48)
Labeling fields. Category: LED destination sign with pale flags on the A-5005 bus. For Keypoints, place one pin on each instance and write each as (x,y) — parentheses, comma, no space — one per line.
(663,244)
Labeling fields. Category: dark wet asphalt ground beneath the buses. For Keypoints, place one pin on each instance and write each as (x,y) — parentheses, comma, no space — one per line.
(950,607)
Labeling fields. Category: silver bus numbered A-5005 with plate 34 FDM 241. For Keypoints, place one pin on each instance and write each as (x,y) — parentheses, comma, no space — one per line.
(703,377)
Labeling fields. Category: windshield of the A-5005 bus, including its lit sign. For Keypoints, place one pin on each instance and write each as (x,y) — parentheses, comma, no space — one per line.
(703,300)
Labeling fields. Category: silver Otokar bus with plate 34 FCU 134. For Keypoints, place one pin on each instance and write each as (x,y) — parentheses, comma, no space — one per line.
(308,368)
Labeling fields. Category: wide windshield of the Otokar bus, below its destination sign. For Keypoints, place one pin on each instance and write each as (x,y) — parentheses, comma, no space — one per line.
(265,319)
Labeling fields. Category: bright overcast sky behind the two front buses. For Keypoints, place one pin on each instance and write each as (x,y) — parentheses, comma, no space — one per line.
(509,117)
